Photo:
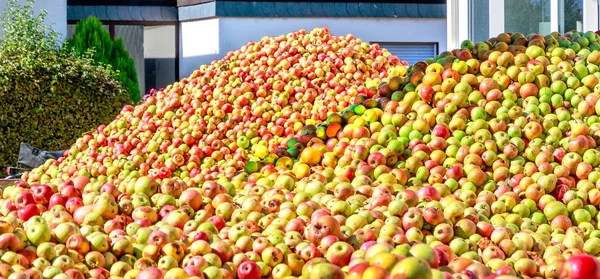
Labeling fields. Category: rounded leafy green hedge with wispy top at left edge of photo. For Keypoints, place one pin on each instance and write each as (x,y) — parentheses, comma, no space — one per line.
(49,96)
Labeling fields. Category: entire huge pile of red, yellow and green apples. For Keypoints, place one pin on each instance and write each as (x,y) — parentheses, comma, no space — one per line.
(317,156)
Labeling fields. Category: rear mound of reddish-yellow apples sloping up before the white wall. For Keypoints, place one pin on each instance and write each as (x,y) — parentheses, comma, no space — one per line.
(238,108)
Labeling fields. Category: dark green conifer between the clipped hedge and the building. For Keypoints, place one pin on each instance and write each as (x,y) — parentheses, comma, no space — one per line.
(90,35)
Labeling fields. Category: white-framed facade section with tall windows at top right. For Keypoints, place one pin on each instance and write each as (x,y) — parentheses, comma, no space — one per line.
(480,19)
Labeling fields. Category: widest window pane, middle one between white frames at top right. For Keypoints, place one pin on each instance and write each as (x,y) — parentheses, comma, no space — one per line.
(527,16)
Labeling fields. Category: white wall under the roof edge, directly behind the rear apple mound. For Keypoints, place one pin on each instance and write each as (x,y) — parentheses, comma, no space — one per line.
(203,42)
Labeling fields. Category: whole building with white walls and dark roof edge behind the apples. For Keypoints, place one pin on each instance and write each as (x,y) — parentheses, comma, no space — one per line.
(168,39)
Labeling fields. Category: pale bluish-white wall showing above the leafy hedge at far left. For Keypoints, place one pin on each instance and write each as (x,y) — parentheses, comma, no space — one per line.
(57,13)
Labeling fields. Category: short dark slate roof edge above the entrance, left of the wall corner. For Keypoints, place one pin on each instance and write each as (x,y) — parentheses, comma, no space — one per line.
(125,13)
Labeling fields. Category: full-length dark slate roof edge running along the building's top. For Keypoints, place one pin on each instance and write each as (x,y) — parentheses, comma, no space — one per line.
(257,9)
